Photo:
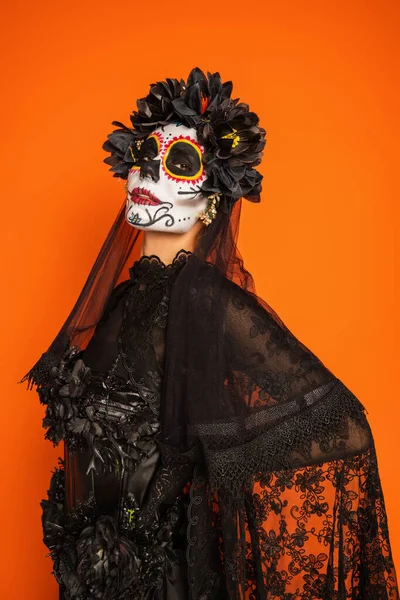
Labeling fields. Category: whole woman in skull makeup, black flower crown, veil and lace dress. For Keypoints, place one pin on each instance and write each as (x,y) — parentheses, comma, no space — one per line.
(207,452)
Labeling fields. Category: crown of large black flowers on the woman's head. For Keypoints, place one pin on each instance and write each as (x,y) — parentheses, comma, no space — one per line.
(229,132)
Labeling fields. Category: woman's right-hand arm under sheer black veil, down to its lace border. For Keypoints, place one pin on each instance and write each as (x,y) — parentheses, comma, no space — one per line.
(290,409)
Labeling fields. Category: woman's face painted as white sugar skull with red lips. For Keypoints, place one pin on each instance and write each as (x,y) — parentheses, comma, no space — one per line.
(164,184)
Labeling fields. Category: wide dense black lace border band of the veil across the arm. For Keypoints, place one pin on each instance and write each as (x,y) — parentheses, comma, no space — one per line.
(311,436)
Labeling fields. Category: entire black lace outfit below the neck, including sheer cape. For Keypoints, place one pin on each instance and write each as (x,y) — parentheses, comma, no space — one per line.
(279,498)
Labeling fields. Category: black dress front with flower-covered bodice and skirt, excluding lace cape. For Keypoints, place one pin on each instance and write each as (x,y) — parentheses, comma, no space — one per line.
(114,520)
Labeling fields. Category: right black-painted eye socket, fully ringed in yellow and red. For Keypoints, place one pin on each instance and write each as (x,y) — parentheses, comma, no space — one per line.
(182,160)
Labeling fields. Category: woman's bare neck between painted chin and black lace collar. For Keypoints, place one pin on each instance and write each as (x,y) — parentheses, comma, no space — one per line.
(166,245)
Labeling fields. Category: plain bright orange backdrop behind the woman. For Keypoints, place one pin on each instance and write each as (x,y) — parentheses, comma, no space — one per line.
(323,76)
